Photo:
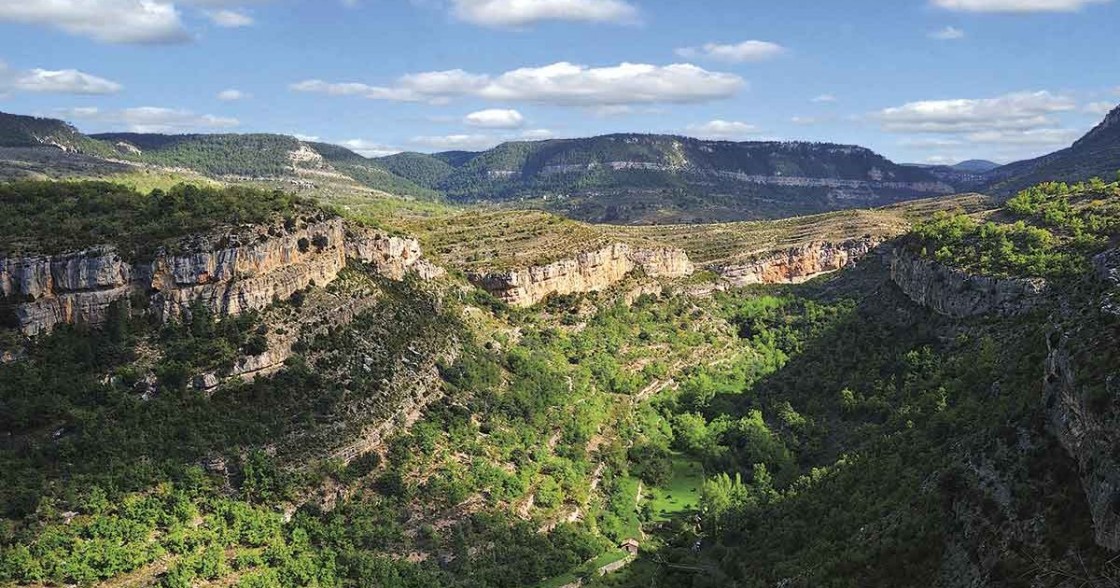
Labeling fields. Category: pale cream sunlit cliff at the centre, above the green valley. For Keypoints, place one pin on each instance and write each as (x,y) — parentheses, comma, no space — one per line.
(586,273)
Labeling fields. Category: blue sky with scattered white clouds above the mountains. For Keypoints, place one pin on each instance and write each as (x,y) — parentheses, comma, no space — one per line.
(919,81)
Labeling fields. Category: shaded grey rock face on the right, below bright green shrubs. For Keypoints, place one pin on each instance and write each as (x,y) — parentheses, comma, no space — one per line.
(958,294)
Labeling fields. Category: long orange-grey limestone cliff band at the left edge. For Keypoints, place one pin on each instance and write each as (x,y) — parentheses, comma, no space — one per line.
(230,274)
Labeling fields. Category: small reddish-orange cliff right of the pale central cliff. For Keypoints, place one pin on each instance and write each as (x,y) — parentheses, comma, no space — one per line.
(799,265)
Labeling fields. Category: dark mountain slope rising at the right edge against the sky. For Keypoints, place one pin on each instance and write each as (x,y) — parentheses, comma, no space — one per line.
(1095,155)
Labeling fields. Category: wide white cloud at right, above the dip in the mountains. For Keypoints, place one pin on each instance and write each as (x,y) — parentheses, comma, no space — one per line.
(1020,111)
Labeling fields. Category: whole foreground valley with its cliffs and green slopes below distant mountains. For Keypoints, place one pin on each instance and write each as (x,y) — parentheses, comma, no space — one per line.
(287,398)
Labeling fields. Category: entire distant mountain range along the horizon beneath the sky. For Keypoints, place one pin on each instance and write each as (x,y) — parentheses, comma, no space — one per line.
(618,179)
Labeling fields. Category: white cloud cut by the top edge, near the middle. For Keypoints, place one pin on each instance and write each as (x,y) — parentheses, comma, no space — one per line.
(514,14)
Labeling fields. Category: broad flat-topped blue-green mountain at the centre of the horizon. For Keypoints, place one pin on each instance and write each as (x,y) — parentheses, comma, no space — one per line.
(642,179)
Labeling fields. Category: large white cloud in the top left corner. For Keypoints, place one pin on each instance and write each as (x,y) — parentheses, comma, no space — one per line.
(142,22)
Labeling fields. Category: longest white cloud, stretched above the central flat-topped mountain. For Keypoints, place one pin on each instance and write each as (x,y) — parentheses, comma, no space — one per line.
(561,85)
